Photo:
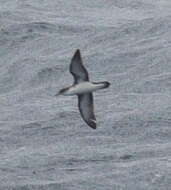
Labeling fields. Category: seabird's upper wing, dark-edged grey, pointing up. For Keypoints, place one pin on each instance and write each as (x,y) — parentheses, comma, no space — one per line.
(77,68)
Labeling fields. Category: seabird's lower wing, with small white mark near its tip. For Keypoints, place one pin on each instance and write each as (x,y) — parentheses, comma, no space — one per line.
(85,104)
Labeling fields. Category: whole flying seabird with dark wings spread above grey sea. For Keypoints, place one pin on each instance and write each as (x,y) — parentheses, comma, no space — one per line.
(83,88)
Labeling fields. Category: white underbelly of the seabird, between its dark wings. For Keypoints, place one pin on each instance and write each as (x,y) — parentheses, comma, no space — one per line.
(83,87)
